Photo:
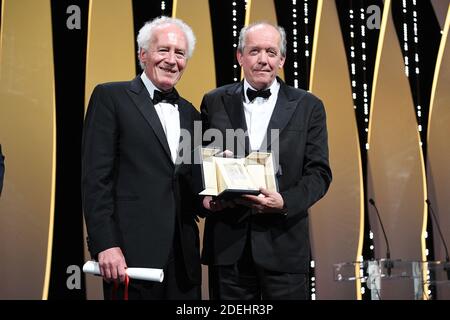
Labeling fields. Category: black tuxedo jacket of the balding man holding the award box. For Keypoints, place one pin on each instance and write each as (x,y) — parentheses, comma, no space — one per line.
(279,242)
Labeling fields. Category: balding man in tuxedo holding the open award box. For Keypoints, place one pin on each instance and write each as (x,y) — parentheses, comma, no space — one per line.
(258,247)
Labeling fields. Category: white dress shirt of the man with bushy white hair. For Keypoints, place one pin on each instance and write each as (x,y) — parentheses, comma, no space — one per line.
(169,116)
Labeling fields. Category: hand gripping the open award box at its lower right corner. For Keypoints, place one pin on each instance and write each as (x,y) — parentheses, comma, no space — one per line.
(266,202)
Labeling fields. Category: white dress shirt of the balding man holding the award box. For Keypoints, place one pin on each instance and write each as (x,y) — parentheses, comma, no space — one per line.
(258,114)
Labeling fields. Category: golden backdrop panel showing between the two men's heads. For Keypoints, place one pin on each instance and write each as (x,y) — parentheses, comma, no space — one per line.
(200,74)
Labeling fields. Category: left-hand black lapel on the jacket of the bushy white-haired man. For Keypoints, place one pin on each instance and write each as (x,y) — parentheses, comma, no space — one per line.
(141,99)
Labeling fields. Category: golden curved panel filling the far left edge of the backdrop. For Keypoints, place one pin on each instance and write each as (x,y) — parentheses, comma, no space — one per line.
(27,131)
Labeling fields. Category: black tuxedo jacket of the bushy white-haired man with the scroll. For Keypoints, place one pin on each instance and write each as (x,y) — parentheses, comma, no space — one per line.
(132,191)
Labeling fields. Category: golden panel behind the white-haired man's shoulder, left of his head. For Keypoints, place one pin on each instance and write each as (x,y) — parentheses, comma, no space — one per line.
(110,56)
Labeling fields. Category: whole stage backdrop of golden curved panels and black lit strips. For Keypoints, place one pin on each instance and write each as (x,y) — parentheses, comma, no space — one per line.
(380,67)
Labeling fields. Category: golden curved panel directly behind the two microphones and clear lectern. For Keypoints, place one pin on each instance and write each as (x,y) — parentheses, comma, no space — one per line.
(396,173)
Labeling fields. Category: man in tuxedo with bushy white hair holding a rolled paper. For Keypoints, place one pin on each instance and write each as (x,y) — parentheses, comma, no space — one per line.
(137,197)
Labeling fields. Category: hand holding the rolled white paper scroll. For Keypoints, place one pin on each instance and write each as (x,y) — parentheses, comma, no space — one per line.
(112,264)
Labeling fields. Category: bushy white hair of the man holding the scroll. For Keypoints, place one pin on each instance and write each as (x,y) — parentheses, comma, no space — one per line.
(146,33)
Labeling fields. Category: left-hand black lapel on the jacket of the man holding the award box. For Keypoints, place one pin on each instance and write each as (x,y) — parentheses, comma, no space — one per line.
(233,102)
